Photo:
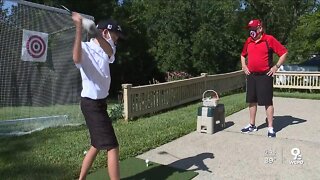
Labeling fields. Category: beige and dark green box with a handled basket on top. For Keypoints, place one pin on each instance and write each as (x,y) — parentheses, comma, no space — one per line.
(210,113)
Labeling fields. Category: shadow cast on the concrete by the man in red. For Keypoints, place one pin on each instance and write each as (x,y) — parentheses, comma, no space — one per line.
(280,122)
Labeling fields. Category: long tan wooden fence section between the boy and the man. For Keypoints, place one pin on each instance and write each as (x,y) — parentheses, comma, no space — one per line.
(141,100)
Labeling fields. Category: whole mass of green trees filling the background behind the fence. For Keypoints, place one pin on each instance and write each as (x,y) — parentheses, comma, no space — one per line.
(189,35)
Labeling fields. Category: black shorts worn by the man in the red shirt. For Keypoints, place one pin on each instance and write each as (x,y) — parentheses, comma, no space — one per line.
(260,89)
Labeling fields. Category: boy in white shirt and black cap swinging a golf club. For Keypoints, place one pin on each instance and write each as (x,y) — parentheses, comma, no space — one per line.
(92,59)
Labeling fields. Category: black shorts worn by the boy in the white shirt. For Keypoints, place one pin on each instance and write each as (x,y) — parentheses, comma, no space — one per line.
(99,124)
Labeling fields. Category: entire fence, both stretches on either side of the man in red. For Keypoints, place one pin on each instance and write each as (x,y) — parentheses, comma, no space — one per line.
(141,100)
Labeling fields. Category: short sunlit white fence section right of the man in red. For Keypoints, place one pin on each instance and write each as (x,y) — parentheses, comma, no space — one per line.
(297,80)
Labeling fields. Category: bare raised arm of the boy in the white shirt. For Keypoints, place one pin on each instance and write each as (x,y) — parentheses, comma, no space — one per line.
(77,19)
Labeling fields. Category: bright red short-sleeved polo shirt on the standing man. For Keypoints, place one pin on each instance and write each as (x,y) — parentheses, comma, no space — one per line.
(260,53)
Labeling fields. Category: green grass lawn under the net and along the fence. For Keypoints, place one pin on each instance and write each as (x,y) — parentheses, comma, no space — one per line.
(57,153)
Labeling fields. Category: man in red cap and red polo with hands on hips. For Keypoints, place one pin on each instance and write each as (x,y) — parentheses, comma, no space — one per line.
(259,68)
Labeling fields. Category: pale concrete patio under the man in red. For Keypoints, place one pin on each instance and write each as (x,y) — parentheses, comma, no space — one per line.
(230,154)
